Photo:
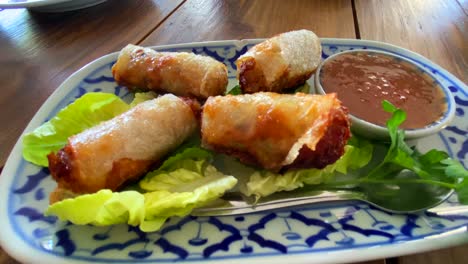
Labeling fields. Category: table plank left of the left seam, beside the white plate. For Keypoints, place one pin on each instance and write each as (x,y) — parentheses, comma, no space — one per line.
(39,51)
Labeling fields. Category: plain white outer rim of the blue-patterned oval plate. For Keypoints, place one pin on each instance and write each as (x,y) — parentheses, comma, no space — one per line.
(15,246)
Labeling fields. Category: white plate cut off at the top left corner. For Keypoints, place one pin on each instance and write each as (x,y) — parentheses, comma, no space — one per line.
(49,5)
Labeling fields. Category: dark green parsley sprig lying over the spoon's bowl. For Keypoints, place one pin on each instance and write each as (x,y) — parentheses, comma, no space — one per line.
(433,169)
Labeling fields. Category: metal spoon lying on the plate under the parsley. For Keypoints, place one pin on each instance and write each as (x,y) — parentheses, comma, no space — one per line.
(395,198)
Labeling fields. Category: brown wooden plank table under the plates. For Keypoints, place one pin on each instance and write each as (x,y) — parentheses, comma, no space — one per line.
(39,51)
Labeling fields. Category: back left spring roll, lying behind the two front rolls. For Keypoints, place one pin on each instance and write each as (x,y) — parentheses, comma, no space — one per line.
(180,73)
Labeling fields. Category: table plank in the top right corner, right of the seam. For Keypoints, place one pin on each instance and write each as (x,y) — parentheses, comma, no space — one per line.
(435,29)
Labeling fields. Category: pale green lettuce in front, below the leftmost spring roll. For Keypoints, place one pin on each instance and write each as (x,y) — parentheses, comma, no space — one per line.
(185,181)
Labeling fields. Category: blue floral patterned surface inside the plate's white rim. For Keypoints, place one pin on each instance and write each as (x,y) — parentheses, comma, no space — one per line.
(305,230)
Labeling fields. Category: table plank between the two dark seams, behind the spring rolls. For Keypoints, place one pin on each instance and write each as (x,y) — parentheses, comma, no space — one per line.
(202,20)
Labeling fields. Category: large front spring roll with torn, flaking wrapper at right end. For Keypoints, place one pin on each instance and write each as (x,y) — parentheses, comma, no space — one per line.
(277,131)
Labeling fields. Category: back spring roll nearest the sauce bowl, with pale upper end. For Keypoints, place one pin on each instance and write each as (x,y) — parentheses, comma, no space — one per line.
(279,63)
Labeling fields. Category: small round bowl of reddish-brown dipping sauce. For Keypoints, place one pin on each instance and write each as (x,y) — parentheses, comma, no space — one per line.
(364,78)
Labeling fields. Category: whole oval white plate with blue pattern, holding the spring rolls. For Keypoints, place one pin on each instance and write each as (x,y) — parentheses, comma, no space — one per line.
(320,233)
